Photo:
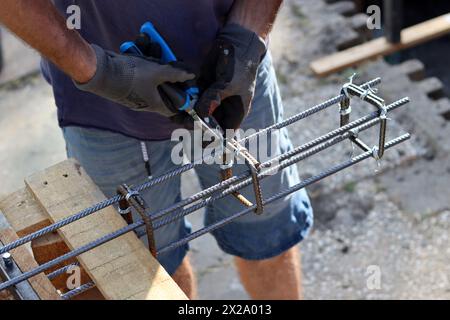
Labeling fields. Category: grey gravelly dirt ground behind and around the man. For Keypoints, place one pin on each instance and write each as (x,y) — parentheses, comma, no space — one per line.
(392,216)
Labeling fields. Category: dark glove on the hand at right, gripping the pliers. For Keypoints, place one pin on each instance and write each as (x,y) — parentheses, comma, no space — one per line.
(229,76)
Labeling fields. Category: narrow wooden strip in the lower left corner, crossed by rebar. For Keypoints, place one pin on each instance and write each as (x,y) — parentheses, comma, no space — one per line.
(25,261)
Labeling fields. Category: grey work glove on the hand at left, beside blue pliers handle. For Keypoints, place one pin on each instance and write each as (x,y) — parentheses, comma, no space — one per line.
(133,81)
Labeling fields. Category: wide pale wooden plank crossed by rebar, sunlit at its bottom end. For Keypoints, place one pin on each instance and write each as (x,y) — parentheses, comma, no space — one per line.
(122,268)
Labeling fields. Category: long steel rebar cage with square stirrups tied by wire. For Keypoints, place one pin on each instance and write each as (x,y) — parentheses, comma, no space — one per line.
(231,184)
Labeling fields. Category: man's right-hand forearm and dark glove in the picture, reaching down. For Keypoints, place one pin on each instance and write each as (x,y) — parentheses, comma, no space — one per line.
(229,74)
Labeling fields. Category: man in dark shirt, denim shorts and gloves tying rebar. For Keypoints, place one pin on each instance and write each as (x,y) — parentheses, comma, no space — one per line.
(108,103)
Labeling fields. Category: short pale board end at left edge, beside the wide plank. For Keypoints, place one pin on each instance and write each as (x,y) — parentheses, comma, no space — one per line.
(23,213)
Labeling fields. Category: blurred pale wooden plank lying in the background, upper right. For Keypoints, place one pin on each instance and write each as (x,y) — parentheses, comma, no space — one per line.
(410,37)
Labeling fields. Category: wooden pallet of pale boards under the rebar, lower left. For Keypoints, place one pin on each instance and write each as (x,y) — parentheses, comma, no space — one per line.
(121,269)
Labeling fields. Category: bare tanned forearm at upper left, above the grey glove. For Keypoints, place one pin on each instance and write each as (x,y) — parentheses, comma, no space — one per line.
(39,24)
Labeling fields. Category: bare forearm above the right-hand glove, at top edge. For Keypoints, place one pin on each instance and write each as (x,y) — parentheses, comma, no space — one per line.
(256,15)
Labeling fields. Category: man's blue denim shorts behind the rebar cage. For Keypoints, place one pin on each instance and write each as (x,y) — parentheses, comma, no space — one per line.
(112,159)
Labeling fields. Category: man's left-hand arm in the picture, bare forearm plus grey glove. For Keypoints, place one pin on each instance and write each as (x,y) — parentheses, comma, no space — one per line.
(128,80)
